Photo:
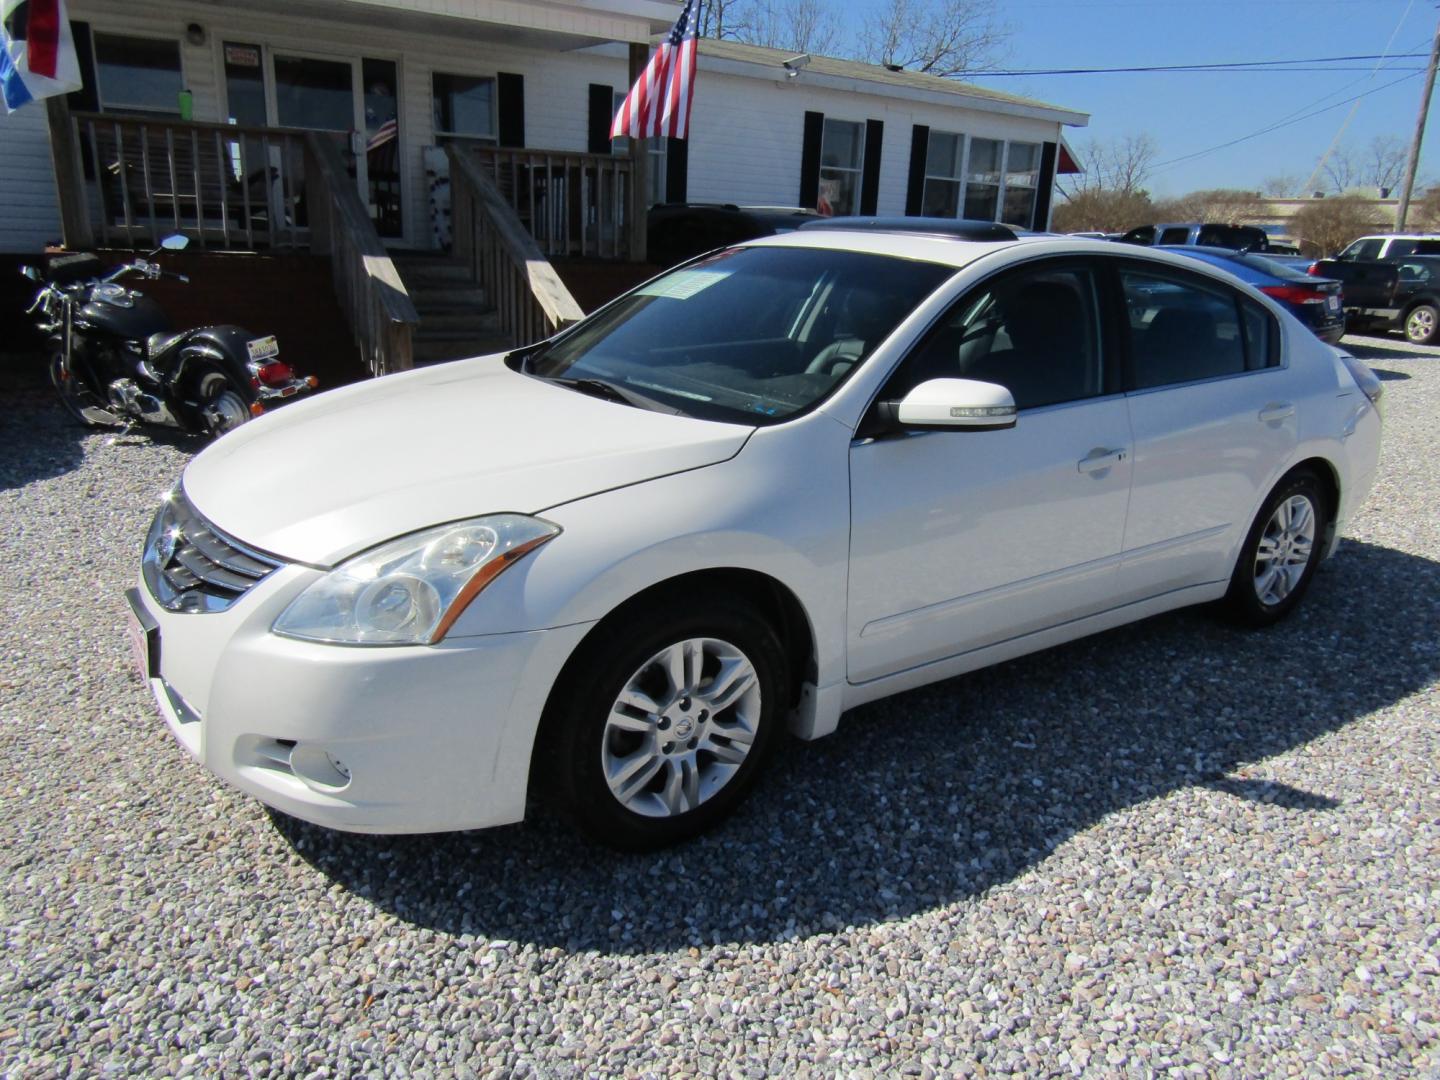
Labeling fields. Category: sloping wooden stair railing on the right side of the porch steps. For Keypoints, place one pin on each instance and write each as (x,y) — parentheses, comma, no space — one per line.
(531,300)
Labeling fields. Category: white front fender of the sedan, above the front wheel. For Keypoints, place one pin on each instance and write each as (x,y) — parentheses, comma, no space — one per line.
(780,509)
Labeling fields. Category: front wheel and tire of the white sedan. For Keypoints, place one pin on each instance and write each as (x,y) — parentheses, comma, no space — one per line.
(639,762)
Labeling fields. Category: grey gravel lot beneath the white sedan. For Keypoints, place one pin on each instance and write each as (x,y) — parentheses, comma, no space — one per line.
(1176,849)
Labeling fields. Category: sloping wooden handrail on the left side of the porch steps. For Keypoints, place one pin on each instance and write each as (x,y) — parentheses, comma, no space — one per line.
(369,287)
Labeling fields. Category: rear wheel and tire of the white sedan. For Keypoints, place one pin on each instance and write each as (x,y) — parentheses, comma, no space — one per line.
(1281,554)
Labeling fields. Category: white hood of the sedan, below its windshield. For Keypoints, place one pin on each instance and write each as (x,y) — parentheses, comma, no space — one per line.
(320,480)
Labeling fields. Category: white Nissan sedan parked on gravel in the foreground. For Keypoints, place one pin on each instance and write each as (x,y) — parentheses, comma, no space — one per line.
(770,486)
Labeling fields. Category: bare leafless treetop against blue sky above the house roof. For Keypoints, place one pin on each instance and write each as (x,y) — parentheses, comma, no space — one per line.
(945,38)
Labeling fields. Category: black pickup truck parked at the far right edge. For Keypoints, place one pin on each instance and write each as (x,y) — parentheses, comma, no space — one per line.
(1396,294)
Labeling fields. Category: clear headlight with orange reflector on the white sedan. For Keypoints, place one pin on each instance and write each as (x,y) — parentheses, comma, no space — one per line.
(411,591)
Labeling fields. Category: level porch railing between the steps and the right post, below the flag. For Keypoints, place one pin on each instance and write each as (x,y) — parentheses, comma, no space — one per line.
(574,205)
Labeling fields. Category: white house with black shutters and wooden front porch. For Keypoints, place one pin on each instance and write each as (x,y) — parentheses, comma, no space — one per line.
(332,125)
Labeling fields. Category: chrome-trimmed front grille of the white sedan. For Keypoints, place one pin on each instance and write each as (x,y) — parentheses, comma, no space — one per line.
(192,567)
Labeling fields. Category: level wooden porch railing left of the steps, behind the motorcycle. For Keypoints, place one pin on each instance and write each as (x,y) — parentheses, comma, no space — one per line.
(222,185)
